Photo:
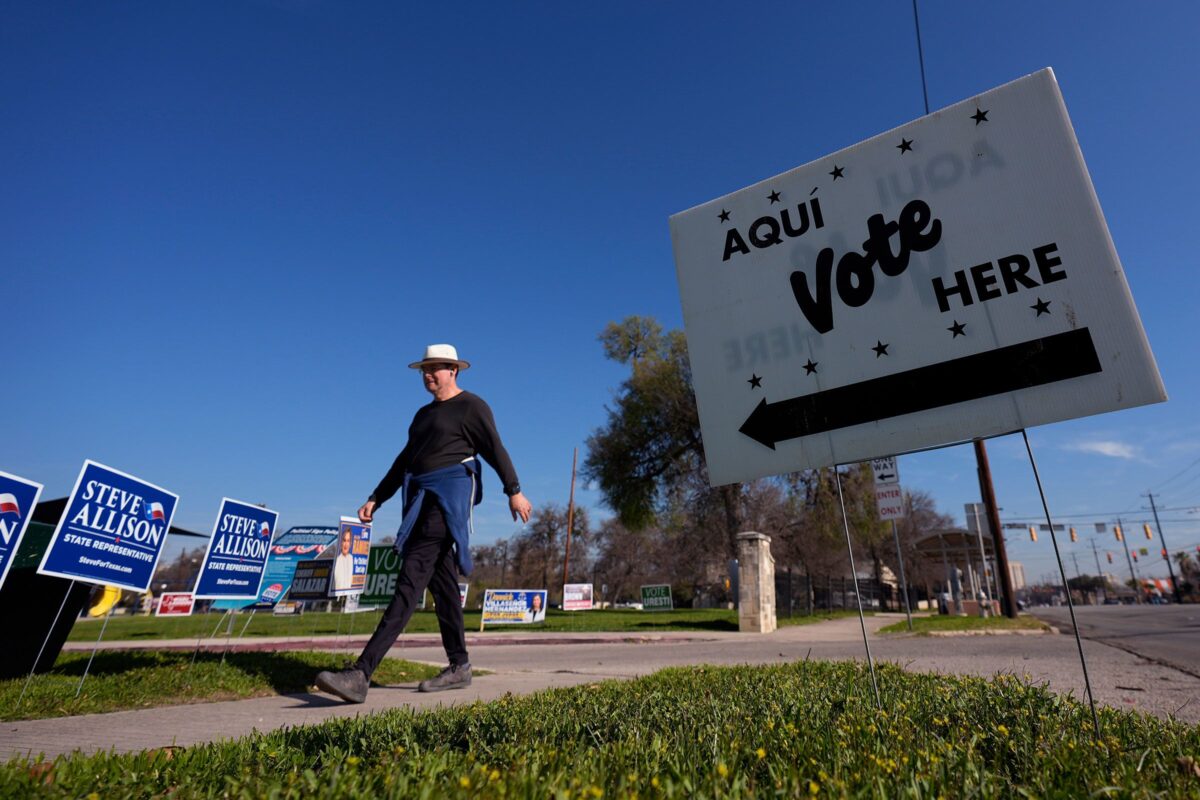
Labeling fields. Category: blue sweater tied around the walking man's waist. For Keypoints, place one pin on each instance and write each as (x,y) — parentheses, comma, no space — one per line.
(455,489)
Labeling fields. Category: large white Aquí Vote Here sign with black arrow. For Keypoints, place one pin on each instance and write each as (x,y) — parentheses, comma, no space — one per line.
(950,280)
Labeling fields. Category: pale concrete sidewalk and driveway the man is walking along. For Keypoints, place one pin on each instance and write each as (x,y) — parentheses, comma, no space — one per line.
(524,666)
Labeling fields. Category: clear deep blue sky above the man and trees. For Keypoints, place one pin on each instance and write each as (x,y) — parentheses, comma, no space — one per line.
(227,227)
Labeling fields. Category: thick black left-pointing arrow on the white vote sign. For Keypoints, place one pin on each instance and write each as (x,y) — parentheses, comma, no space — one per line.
(1036,363)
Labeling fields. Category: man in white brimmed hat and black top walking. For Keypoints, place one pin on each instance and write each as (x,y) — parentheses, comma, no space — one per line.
(440,473)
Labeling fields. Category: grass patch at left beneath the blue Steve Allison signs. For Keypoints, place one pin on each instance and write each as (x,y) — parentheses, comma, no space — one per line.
(131,679)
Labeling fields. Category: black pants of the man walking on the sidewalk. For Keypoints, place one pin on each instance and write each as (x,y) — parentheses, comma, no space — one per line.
(429,562)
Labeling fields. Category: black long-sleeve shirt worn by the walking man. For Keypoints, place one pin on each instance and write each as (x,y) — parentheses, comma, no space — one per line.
(445,434)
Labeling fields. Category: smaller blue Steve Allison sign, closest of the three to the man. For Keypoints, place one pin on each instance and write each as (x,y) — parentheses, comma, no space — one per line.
(237,556)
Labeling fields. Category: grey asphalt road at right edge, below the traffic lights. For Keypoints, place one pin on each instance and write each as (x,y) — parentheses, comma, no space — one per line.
(1169,635)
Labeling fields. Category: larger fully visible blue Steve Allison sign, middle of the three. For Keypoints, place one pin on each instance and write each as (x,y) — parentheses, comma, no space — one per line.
(112,532)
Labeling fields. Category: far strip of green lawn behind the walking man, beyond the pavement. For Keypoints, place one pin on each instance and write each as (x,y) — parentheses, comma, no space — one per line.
(328,624)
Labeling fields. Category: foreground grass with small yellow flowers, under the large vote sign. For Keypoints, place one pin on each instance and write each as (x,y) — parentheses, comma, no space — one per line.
(796,731)
